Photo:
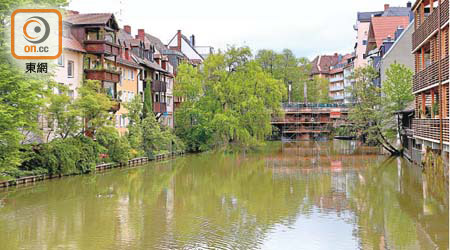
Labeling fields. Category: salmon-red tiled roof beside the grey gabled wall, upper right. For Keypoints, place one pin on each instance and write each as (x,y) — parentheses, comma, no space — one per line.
(384,26)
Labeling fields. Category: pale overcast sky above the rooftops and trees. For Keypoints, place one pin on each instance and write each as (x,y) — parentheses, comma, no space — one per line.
(308,28)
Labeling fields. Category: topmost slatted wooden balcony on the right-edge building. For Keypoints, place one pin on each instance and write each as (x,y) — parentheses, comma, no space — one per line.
(430,25)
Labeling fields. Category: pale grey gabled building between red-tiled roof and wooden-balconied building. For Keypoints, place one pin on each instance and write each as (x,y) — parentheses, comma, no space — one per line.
(399,52)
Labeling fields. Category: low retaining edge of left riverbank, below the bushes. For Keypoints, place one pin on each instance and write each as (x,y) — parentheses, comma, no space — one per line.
(99,168)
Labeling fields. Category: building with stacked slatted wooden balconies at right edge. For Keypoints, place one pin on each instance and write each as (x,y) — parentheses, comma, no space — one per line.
(431,80)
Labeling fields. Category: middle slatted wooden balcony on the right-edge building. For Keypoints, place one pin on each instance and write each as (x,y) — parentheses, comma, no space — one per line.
(429,75)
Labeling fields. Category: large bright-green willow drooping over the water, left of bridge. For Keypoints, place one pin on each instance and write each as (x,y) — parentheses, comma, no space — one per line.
(228,101)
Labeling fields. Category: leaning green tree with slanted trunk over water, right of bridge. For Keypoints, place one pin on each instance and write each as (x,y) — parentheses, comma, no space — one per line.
(368,114)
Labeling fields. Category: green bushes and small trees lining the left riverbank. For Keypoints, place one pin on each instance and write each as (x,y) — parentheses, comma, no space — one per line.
(84,137)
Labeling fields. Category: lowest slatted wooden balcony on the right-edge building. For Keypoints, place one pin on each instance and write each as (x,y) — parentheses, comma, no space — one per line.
(429,129)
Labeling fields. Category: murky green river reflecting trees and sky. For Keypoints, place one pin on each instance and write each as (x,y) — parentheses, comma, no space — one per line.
(308,195)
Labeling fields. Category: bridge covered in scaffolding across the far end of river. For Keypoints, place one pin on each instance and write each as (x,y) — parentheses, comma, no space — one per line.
(311,121)
